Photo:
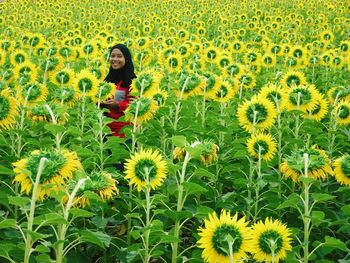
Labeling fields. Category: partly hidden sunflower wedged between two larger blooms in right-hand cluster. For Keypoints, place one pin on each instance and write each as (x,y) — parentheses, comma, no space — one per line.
(276,94)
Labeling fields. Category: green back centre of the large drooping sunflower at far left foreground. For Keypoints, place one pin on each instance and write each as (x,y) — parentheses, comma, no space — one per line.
(55,162)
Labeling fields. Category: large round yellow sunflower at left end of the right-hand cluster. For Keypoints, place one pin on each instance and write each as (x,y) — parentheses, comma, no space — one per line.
(256,114)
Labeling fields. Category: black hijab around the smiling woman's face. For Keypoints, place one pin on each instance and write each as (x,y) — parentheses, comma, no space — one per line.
(126,74)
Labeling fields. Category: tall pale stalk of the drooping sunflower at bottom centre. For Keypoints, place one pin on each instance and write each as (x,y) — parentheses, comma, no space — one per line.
(180,203)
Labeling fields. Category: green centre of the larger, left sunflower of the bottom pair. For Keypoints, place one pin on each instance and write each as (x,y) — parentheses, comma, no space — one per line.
(219,241)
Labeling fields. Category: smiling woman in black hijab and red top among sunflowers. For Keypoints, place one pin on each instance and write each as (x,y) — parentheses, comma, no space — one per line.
(121,72)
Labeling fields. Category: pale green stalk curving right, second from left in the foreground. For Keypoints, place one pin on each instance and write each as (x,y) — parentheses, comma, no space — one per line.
(62,229)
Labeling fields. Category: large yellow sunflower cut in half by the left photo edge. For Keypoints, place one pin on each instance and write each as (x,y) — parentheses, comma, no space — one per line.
(8,109)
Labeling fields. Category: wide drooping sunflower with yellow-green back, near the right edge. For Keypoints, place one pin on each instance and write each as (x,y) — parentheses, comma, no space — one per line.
(318,168)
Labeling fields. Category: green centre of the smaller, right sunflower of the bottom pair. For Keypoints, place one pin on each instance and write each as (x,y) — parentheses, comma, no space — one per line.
(270,241)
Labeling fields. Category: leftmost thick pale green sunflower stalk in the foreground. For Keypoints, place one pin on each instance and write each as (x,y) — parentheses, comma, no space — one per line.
(28,239)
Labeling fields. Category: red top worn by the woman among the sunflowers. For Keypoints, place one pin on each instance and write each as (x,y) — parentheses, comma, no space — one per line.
(123,99)
